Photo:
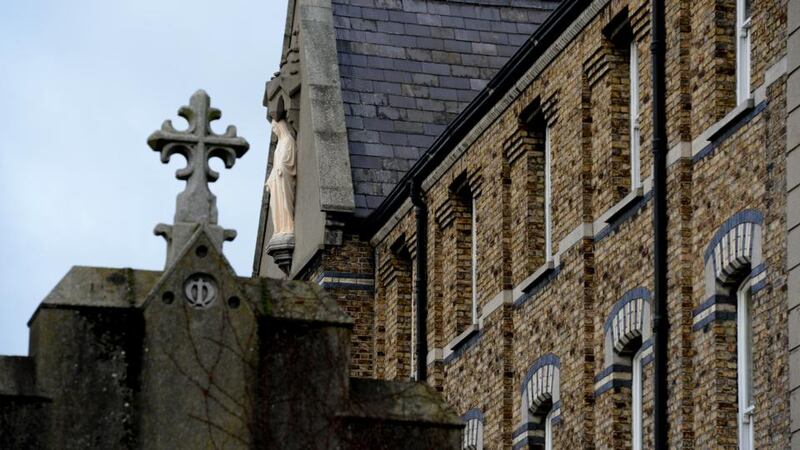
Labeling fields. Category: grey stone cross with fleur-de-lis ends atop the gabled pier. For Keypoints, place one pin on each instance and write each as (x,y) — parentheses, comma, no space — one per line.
(196,205)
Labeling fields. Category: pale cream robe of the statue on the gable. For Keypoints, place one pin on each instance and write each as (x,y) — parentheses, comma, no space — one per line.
(281,181)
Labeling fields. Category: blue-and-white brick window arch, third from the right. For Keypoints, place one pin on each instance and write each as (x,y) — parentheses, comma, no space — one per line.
(540,389)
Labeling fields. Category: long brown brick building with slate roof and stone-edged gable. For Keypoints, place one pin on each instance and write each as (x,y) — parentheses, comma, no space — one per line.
(537,191)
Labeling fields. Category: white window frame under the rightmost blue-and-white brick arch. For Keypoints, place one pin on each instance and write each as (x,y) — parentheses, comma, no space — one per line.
(744,365)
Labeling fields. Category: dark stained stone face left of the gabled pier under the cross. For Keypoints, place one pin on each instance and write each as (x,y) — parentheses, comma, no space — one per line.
(88,363)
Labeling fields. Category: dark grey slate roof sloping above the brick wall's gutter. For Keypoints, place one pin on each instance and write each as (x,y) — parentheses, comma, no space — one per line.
(408,67)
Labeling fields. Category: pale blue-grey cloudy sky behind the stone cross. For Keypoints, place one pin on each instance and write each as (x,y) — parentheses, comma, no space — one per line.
(82,85)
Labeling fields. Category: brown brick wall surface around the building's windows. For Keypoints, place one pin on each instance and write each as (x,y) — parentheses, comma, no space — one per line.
(603,248)
